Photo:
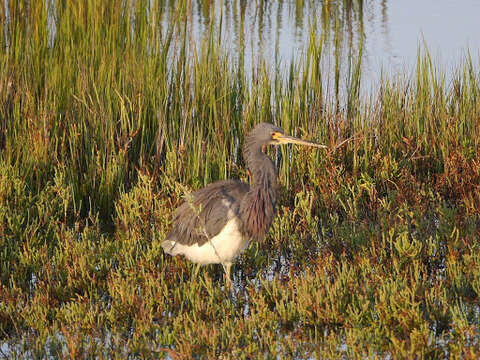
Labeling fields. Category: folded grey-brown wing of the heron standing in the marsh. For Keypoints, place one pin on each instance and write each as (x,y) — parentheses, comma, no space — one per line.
(206,211)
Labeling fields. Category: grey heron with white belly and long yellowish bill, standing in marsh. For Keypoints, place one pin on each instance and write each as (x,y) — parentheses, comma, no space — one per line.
(216,223)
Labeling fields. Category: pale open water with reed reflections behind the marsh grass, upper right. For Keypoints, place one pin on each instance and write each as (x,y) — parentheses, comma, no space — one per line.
(393,32)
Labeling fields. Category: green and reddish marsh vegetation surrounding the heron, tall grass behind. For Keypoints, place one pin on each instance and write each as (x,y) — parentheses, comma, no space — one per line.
(375,248)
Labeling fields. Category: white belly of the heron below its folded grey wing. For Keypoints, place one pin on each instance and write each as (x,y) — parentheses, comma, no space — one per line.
(223,248)
